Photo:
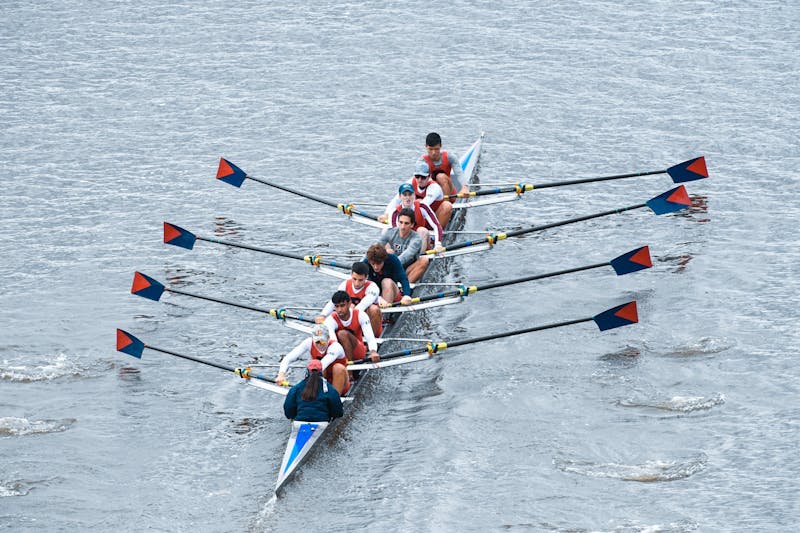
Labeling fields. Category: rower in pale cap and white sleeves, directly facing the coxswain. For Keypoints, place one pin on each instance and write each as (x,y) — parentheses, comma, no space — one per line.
(330,353)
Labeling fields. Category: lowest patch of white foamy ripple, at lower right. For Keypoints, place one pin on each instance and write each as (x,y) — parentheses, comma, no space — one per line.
(647,472)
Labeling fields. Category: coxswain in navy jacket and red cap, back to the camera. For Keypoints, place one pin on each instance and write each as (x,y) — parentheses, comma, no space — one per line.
(312,400)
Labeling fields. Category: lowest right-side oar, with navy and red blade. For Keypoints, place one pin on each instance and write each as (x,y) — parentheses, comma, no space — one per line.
(616,317)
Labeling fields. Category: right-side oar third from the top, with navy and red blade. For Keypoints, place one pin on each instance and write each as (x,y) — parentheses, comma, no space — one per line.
(633,261)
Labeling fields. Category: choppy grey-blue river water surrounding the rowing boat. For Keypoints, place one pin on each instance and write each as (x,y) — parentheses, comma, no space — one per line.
(113,116)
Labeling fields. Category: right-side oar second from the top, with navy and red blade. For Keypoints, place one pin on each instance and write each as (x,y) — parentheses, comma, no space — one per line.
(668,202)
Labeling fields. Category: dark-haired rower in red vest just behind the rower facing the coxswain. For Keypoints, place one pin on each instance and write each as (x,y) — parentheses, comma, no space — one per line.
(351,327)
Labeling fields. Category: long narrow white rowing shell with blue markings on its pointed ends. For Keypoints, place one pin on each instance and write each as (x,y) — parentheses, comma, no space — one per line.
(306,435)
